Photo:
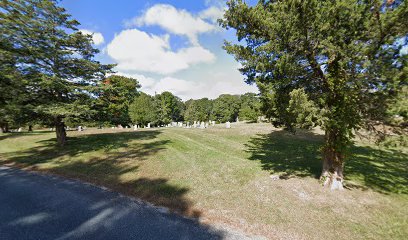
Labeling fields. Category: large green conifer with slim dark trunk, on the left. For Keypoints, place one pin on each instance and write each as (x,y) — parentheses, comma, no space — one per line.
(53,59)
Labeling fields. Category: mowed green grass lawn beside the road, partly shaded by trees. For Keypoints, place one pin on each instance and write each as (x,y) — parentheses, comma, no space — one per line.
(222,176)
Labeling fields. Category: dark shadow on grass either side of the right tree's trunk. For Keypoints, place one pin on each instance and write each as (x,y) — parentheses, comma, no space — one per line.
(382,170)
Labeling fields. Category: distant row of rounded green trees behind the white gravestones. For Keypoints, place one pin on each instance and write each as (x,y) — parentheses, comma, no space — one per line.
(164,108)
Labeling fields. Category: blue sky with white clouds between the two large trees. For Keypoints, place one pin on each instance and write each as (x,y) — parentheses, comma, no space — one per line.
(169,45)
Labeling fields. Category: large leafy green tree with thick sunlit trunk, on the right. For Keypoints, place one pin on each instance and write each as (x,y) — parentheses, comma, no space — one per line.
(344,54)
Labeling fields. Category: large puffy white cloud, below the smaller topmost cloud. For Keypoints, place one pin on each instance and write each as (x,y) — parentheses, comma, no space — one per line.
(135,50)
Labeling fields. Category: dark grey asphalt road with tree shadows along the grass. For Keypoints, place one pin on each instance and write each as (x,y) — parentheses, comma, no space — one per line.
(38,206)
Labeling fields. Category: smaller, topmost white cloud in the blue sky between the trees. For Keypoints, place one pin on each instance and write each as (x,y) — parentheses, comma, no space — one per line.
(175,21)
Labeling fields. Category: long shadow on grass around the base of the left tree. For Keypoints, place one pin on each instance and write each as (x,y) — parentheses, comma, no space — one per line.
(109,143)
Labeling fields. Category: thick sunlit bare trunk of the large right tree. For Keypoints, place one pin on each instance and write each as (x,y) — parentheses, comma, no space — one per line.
(333,162)
